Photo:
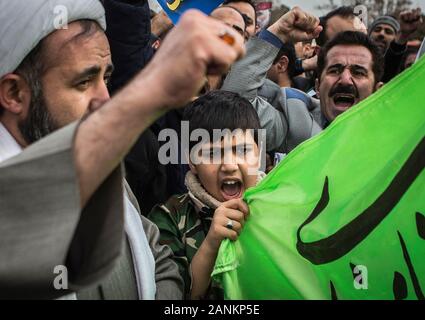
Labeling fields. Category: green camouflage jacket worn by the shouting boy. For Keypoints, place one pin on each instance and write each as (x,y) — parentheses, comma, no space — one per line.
(183,226)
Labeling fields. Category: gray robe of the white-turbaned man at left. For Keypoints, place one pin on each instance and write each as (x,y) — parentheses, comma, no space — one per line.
(42,226)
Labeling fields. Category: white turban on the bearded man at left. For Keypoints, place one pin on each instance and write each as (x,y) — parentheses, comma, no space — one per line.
(24,23)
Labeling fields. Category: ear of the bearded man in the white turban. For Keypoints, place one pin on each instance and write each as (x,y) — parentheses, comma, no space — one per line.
(15,94)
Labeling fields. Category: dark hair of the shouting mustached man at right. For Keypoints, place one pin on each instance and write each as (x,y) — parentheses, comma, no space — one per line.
(353,38)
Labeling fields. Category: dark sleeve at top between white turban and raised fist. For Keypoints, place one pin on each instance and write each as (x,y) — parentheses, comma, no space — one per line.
(128,31)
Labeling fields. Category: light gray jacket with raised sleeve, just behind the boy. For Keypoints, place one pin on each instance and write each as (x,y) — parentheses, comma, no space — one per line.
(289,122)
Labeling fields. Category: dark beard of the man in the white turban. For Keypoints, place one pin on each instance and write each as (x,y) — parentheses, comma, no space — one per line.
(39,122)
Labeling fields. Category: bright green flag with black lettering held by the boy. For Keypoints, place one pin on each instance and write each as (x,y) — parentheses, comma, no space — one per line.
(343,216)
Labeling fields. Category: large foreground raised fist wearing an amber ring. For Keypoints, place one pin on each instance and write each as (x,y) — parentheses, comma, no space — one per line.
(190,51)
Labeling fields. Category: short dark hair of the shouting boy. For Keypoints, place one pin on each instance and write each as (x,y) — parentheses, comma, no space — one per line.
(221,110)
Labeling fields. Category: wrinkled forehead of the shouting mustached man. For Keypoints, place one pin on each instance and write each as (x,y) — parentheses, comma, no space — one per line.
(349,55)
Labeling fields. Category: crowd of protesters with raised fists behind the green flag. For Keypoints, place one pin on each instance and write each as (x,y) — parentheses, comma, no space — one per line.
(77,103)
